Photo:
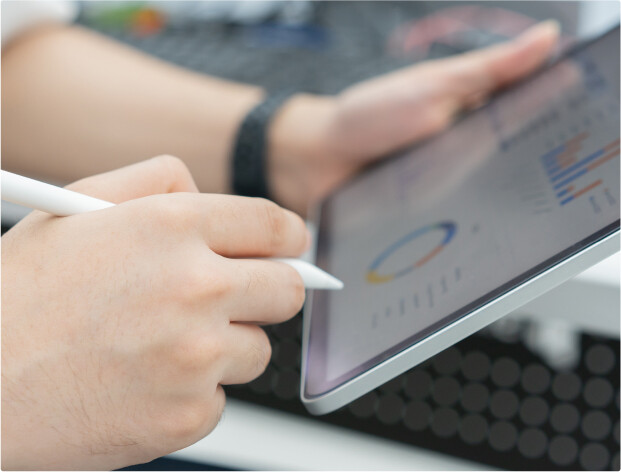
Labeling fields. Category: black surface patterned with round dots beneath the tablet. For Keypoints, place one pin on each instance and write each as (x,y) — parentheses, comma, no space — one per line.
(478,396)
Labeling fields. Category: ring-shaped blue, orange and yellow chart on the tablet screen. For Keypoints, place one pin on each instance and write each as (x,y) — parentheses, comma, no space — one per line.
(375,277)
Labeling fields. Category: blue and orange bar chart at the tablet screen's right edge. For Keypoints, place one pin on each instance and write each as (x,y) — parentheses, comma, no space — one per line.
(564,168)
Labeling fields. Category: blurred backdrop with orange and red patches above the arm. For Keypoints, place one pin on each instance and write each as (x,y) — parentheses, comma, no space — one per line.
(325,46)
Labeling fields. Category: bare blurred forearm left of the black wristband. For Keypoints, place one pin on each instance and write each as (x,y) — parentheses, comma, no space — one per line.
(75,103)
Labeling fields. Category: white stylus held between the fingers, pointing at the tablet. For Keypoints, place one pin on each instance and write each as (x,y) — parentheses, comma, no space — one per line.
(62,202)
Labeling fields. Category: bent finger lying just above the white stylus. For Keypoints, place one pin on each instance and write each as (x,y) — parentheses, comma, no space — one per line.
(162,174)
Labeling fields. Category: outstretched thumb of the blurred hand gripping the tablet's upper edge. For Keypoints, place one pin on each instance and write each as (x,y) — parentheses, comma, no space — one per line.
(478,73)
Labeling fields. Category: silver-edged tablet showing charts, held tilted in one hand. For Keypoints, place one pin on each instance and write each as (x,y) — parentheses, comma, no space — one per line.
(437,242)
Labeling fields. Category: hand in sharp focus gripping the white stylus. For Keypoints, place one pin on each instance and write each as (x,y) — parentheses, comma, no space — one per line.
(120,326)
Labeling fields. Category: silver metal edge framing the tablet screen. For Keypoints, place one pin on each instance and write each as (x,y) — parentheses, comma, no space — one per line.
(471,318)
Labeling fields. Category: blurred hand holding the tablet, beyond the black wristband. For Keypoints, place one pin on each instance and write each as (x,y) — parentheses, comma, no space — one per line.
(317,142)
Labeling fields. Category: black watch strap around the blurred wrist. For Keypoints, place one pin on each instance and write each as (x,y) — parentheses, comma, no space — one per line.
(249,160)
